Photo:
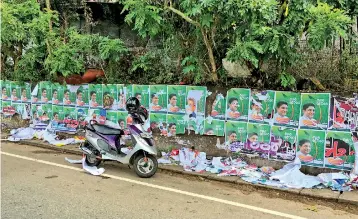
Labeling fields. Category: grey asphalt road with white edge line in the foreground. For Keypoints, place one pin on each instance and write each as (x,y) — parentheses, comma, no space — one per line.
(39,183)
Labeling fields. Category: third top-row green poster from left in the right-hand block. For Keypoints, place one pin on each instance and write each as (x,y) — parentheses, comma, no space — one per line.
(287,108)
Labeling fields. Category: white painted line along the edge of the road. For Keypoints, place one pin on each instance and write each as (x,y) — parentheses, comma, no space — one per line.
(223,201)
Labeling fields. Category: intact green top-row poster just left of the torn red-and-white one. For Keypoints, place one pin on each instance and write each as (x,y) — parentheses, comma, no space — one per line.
(315,110)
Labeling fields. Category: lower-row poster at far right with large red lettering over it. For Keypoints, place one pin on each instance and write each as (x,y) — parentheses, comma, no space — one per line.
(339,152)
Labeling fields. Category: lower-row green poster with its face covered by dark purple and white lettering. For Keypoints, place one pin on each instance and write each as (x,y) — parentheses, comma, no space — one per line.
(283,141)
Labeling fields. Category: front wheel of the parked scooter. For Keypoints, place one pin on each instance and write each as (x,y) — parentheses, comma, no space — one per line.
(145,166)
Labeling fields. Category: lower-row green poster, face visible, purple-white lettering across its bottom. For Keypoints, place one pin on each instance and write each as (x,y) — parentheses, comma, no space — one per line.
(258,140)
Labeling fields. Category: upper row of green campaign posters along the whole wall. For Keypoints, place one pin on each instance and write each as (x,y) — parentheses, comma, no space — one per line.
(317,111)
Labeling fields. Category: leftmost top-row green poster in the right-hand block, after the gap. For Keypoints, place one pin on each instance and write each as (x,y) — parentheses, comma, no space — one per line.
(237,103)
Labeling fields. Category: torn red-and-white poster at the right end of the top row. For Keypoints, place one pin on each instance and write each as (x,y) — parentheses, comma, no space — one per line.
(344,114)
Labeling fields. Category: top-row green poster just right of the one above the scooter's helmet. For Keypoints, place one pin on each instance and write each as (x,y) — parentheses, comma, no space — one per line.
(158,98)
